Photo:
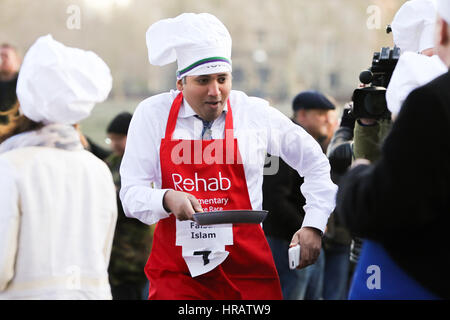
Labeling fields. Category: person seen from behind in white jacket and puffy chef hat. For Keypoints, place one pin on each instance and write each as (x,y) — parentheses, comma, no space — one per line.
(57,201)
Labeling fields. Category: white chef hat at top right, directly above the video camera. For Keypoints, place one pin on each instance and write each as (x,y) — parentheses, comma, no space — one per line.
(413,25)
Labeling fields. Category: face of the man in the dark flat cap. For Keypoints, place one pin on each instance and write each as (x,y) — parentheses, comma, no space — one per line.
(314,121)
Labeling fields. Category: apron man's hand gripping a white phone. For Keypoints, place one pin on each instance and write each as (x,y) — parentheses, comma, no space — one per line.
(310,240)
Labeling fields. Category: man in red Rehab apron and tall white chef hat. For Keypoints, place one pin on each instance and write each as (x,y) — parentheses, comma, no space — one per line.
(203,146)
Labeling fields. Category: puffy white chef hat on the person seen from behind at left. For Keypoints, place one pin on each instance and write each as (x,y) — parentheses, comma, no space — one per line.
(59,84)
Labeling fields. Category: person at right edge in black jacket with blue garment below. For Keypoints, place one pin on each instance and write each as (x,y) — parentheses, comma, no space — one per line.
(400,203)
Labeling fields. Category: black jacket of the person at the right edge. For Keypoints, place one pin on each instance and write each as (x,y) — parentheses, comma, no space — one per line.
(403,200)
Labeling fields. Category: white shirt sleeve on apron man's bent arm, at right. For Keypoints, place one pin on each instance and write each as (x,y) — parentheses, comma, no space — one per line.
(303,153)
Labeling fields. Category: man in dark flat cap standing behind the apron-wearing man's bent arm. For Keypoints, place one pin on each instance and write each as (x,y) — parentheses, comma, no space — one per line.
(281,197)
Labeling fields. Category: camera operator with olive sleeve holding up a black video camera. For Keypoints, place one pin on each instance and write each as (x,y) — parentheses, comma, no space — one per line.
(369,121)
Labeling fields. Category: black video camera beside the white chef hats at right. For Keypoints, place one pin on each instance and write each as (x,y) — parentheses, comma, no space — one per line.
(370,102)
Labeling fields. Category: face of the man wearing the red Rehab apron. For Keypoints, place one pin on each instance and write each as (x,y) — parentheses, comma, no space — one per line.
(207,94)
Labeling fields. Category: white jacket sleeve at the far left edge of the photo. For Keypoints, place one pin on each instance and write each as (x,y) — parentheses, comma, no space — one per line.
(9,223)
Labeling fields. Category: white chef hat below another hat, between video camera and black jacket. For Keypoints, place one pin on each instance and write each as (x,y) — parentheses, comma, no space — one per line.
(412,70)
